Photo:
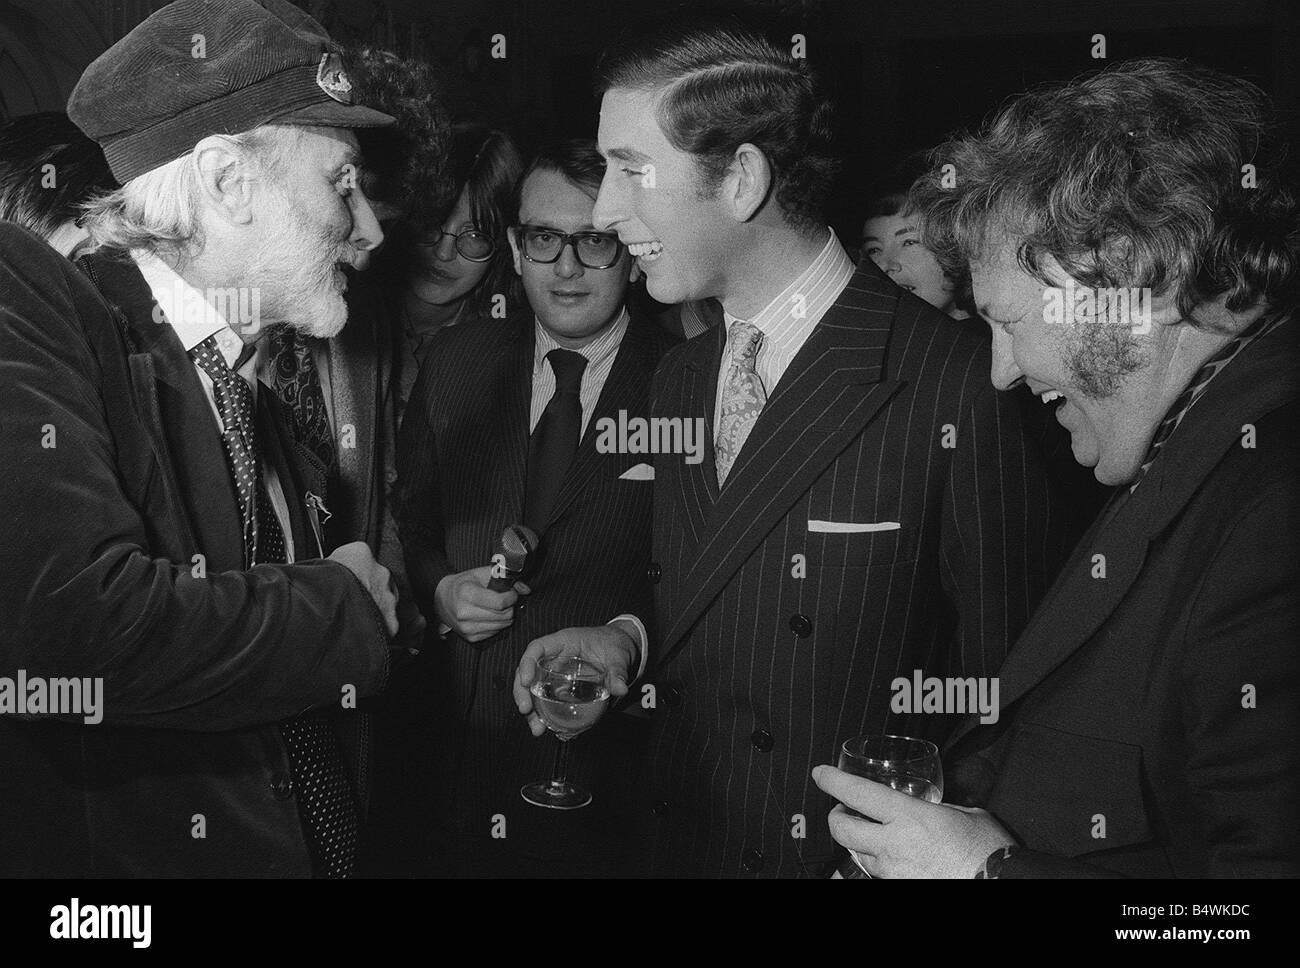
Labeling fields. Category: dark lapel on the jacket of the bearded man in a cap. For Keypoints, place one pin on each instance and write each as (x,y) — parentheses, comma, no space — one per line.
(176,413)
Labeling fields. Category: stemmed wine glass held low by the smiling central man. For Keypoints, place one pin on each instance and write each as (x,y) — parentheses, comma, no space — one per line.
(570,696)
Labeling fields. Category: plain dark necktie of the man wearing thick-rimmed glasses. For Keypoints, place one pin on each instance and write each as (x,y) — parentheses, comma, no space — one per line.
(554,442)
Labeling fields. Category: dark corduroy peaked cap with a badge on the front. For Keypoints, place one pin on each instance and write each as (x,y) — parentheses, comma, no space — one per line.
(200,68)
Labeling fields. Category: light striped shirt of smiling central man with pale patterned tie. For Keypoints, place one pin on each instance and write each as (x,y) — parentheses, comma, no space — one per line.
(790,320)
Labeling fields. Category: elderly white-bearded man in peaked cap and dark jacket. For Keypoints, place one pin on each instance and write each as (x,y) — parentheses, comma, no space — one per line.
(162,519)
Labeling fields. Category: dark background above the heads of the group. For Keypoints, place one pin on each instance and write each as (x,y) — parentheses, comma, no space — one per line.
(904,73)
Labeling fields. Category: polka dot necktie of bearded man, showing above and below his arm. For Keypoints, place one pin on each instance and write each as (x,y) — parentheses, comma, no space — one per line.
(326,800)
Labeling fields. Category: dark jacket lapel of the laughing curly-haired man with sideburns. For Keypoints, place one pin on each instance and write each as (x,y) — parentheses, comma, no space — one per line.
(1260,380)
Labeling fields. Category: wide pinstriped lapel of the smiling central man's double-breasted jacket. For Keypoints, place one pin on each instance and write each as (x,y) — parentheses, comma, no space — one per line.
(830,393)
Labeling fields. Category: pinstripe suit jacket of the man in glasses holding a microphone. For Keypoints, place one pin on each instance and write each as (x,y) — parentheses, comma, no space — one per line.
(462,462)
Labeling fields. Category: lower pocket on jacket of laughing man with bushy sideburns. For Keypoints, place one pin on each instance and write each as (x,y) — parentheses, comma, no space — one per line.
(1072,795)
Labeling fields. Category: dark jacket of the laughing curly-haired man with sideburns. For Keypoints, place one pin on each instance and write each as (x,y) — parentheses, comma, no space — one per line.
(1154,704)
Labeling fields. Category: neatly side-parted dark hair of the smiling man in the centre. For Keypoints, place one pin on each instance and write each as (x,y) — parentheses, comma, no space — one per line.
(725,85)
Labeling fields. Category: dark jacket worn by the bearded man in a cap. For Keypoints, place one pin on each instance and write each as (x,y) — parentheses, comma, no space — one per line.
(101,576)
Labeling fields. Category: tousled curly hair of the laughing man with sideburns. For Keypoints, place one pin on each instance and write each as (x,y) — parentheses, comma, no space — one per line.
(1132,177)
